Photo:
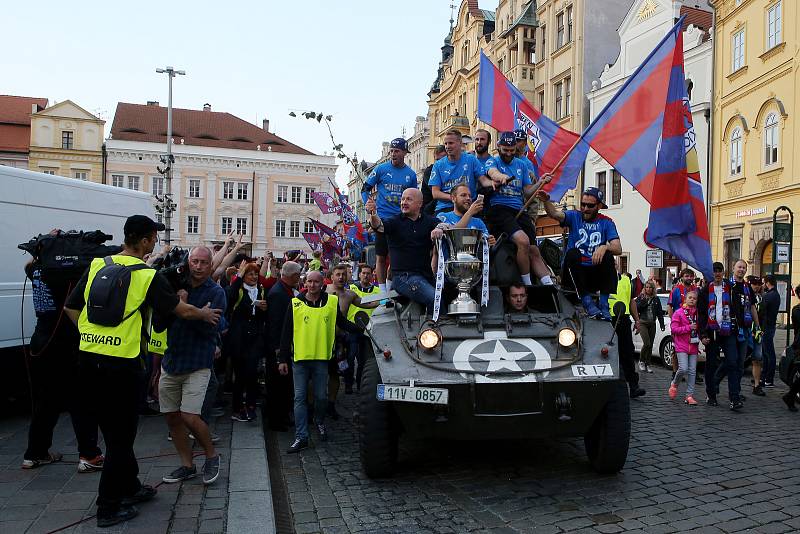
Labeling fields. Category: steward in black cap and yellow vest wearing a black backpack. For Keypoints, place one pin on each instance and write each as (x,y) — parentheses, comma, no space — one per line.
(110,355)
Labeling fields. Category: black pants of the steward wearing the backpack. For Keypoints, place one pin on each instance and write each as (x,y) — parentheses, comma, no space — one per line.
(114,385)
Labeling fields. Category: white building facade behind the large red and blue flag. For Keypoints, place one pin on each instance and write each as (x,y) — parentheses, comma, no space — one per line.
(642,28)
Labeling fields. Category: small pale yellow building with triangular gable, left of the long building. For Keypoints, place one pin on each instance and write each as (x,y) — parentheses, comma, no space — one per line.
(67,140)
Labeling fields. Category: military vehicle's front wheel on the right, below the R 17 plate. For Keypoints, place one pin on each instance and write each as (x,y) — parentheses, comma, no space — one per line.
(607,441)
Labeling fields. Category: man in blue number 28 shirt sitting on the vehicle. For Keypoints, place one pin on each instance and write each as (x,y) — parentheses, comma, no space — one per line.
(593,242)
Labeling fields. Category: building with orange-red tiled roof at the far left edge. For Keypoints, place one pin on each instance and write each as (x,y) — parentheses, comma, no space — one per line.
(15,128)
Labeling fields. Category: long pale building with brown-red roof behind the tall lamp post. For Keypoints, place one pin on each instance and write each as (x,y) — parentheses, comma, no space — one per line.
(228,176)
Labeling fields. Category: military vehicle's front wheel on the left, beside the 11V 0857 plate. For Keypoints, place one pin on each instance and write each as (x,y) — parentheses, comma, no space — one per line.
(377,425)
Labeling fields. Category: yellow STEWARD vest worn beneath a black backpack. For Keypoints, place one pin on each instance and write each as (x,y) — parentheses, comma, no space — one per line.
(125,339)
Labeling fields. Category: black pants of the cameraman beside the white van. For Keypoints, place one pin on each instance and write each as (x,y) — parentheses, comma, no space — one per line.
(54,376)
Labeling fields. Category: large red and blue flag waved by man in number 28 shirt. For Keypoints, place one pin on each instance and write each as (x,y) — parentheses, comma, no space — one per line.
(646,133)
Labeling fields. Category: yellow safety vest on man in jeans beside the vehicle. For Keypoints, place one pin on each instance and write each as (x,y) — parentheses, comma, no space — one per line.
(314,329)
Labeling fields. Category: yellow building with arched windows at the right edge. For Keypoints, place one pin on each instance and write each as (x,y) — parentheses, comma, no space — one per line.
(756,93)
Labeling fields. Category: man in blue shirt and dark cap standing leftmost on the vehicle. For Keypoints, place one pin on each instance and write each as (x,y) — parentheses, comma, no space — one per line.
(388,180)
